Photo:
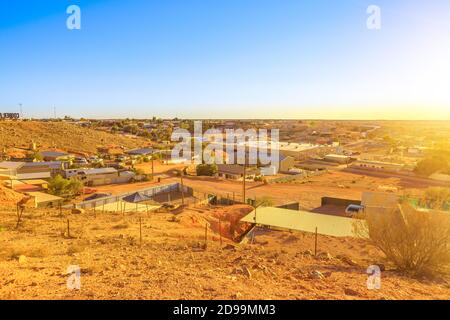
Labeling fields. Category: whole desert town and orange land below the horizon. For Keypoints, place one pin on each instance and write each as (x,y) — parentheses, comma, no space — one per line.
(107,196)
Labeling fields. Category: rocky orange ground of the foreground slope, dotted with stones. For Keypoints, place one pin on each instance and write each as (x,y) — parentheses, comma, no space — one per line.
(172,263)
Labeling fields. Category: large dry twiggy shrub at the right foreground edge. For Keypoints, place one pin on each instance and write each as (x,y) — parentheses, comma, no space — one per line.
(416,242)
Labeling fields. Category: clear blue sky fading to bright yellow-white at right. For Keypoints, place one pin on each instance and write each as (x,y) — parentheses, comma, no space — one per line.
(226,59)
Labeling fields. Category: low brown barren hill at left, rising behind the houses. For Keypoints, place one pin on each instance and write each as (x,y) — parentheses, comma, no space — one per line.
(60,136)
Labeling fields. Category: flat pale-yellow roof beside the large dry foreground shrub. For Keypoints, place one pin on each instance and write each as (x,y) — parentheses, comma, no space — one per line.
(303,221)
